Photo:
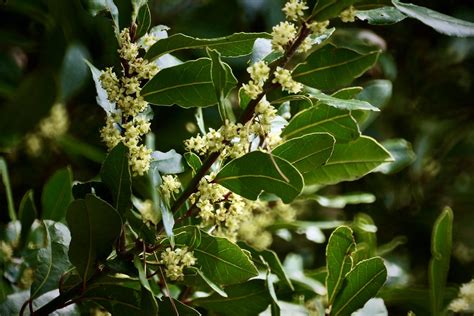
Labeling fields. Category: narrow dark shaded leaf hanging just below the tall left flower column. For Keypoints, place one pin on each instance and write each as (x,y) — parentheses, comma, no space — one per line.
(115,173)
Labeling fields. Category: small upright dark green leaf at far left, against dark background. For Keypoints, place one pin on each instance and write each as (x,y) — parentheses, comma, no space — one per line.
(56,195)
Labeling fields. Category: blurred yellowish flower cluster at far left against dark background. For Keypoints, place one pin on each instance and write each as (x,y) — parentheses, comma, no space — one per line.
(49,128)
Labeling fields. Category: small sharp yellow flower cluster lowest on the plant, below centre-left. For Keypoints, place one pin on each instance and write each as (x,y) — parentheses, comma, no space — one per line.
(175,260)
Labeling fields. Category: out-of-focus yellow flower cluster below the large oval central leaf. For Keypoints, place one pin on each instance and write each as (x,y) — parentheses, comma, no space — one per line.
(254,230)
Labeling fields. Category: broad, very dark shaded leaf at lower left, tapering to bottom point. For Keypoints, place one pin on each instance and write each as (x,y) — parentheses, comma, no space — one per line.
(95,225)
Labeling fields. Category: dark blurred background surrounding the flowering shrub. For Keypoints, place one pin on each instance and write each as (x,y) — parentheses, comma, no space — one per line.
(42,43)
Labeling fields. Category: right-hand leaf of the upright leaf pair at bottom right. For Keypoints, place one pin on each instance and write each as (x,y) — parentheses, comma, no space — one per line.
(361,284)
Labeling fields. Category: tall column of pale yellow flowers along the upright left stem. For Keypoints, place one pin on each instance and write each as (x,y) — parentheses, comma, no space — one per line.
(128,124)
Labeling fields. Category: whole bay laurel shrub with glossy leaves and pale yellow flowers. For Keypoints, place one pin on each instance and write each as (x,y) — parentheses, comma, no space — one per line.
(188,234)
